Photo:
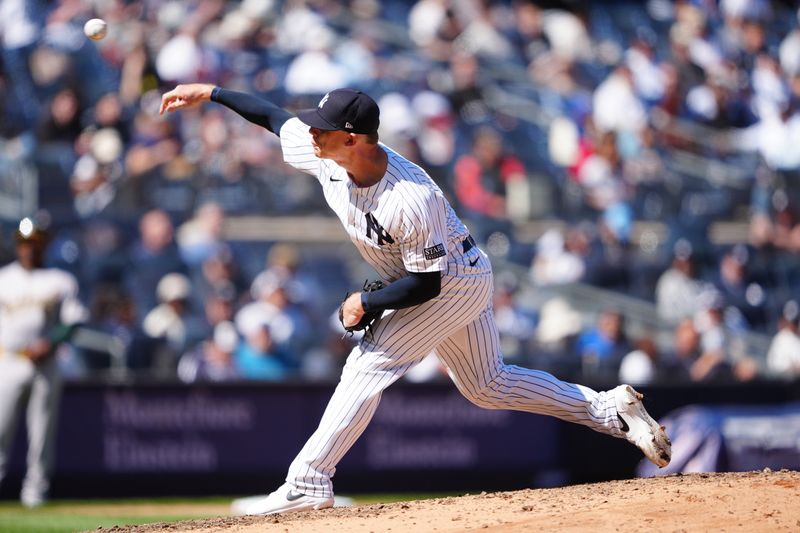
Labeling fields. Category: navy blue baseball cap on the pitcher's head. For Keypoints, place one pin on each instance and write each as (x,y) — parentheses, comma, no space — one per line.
(343,109)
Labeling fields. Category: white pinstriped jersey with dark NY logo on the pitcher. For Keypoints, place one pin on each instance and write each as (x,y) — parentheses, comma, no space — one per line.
(401,224)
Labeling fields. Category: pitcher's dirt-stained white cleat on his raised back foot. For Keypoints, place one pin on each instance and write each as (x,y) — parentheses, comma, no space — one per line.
(639,427)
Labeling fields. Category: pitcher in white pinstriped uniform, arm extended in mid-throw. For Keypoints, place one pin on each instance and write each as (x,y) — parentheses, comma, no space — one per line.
(436,292)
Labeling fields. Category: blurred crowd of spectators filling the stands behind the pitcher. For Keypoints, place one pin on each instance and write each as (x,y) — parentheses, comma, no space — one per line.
(651,149)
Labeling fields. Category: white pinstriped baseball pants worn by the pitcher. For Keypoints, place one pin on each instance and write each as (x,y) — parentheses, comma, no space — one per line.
(459,325)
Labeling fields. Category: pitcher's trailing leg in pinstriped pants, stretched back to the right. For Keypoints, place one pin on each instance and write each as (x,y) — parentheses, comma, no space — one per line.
(473,357)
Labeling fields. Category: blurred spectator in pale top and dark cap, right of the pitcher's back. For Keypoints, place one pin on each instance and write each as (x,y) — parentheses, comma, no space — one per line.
(678,288)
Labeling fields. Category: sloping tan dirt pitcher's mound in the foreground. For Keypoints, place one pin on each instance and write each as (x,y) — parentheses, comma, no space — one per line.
(750,501)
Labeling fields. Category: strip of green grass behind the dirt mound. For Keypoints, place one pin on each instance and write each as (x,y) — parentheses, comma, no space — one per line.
(69,516)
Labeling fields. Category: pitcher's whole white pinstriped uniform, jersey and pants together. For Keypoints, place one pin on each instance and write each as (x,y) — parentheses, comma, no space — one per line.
(404,224)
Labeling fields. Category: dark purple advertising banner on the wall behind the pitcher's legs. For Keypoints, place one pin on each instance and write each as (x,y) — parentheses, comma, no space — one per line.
(116,430)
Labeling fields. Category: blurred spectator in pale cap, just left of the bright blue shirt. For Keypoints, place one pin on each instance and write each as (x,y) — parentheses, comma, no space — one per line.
(212,360)
